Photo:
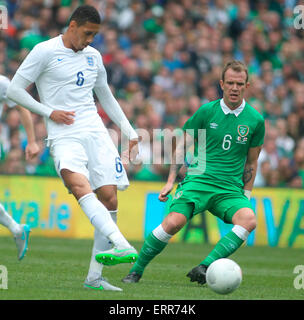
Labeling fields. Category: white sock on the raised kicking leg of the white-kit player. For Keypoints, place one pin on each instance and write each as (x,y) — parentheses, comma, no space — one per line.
(101,219)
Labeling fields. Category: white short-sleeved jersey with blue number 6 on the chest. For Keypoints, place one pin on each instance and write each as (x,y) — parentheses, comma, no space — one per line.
(65,81)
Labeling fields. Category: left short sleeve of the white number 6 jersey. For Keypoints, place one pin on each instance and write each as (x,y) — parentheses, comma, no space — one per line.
(34,63)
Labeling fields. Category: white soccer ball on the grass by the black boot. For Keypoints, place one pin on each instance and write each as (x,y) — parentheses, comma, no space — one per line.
(223,276)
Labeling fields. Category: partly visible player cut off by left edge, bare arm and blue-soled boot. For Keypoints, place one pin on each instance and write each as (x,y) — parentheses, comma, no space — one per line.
(20,232)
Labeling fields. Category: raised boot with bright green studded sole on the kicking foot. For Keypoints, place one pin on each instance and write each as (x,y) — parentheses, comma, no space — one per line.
(116,256)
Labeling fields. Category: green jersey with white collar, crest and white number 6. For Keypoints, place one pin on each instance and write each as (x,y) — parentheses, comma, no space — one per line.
(222,152)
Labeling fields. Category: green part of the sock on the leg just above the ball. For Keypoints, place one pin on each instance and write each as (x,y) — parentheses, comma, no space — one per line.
(225,247)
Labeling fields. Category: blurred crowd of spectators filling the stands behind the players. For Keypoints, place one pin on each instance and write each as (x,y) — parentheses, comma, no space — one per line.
(164,60)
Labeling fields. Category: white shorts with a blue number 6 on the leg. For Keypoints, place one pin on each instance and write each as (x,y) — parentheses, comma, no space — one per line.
(92,154)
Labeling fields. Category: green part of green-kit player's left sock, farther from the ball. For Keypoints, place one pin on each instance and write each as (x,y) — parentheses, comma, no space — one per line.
(151,247)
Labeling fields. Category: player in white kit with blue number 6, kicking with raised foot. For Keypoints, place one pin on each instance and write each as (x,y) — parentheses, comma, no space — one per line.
(66,70)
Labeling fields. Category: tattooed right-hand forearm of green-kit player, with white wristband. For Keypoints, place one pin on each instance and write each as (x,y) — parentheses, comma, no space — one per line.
(250,169)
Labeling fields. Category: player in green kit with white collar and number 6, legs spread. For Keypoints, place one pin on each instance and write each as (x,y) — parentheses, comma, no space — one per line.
(221,179)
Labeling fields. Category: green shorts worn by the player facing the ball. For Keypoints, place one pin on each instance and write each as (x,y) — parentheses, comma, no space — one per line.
(221,203)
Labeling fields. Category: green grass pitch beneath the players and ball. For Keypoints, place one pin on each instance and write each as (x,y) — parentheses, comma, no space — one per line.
(55,269)
